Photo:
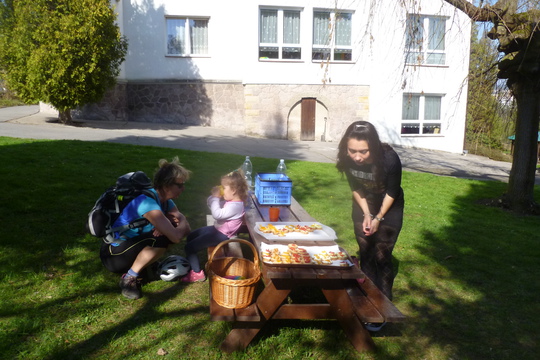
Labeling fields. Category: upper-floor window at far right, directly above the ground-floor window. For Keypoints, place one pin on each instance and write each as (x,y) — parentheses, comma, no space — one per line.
(425,40)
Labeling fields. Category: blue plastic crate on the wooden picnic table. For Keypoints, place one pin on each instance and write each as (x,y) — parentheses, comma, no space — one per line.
(273,189)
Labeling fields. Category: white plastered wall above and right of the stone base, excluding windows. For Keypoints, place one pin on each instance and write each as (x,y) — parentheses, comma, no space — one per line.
(378,56)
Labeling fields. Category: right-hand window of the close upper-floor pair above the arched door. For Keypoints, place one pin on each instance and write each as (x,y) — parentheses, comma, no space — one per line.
(332,36)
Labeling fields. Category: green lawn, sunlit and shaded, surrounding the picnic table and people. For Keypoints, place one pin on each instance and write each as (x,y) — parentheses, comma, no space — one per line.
(467,274)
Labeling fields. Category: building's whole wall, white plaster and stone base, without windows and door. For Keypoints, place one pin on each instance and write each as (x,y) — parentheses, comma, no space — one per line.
(232,88)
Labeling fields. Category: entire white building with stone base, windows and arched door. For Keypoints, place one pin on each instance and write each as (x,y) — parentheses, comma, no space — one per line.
(296,69)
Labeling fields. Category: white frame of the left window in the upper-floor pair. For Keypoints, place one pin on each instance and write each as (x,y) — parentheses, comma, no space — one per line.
(280,43)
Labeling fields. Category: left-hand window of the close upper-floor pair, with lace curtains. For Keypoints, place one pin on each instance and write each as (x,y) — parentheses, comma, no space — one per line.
(279,34)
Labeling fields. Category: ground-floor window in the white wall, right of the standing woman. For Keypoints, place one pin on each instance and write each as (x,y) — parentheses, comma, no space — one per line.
(421,114)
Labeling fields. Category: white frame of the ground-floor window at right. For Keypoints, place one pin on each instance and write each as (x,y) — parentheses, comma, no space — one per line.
(414,123)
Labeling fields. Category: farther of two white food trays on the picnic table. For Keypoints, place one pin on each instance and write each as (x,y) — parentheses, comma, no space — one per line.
(295,230)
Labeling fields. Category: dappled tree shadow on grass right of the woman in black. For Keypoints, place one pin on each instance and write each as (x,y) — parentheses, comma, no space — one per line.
(473,282)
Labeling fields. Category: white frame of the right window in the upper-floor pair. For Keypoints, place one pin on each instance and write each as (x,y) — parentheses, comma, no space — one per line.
(327,51)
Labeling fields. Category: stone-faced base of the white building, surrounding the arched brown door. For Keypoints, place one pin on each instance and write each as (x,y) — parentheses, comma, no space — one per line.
(270,111)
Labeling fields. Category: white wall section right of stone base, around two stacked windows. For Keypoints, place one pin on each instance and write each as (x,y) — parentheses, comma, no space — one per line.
(394,78)
